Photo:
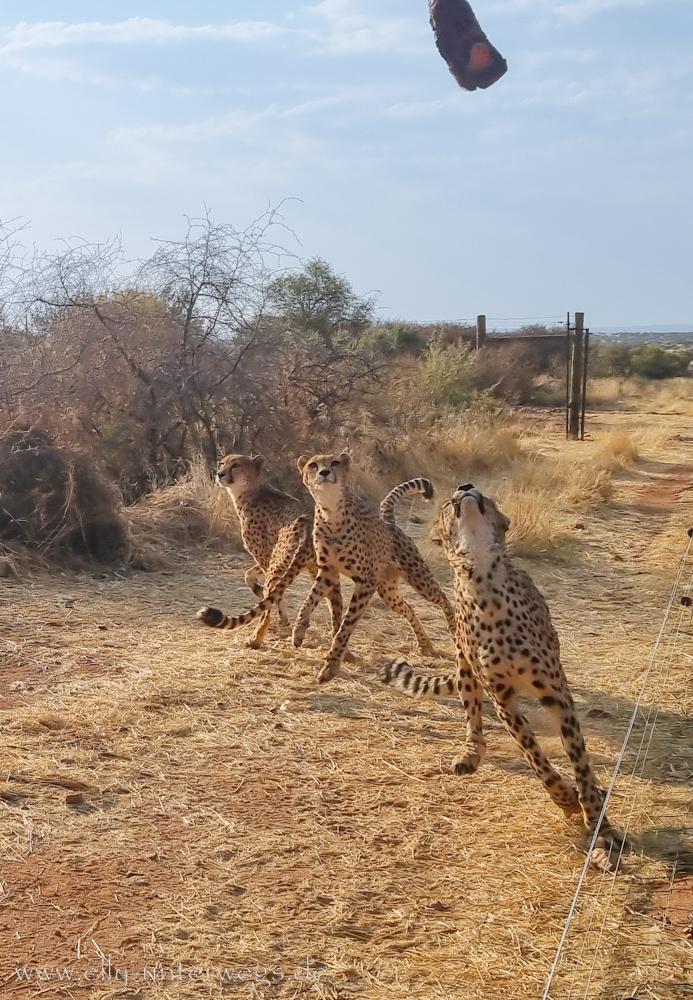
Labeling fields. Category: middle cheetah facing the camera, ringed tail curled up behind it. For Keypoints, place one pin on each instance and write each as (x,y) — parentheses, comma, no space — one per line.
(350,538)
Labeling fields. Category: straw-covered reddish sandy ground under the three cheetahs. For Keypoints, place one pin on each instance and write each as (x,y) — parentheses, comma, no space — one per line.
(236,816)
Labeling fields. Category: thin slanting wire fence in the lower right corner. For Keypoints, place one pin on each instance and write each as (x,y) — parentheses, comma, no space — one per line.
(628,934)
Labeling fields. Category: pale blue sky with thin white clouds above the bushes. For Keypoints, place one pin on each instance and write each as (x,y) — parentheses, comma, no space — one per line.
(565,186)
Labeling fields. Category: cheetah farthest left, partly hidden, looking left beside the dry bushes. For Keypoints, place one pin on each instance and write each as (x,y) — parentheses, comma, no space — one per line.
(273,525)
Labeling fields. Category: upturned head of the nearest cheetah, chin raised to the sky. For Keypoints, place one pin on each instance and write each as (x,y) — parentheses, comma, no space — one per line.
(470,523)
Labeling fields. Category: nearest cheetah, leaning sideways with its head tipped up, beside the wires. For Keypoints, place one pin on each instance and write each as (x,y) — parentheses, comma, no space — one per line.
(506,646)
